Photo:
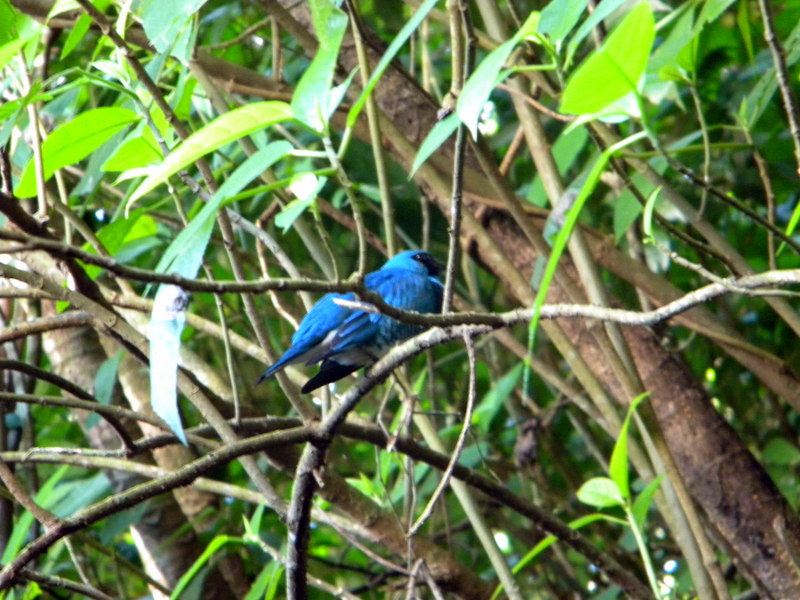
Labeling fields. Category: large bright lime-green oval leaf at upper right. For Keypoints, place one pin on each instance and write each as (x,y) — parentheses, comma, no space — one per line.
(616,68)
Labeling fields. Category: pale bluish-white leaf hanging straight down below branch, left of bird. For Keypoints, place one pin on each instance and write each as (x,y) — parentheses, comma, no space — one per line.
(164,333)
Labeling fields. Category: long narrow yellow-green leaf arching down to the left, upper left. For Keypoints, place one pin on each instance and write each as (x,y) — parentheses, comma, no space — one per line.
(221,131)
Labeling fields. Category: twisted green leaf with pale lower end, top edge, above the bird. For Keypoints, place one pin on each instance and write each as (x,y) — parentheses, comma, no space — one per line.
(310,102)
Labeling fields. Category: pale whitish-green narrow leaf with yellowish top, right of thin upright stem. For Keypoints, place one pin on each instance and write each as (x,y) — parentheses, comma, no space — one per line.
(481,83)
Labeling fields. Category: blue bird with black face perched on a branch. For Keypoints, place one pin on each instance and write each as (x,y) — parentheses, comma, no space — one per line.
(346,339)
